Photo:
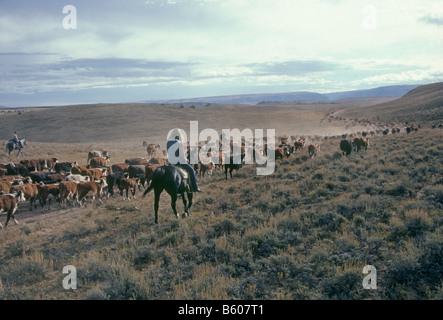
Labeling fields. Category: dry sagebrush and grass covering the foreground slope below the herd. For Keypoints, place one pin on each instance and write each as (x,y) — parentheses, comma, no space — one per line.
(305,232)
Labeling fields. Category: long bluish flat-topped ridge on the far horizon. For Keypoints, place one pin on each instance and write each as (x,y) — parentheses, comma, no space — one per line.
(287,97)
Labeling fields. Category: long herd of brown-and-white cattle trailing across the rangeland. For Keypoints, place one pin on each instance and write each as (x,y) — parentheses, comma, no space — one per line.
(43,180)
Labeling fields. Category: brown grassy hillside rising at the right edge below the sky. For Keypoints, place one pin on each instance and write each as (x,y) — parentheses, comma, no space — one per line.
(422,104)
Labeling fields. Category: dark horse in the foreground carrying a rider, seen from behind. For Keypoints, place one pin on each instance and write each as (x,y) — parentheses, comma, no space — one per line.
(171,179)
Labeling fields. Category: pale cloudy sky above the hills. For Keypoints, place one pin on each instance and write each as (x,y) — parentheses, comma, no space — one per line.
(109,51)
